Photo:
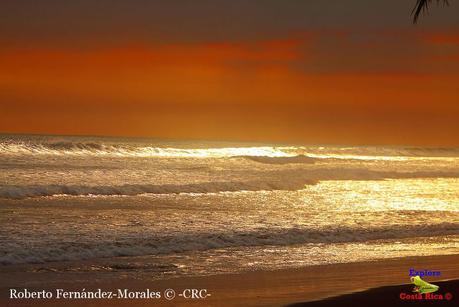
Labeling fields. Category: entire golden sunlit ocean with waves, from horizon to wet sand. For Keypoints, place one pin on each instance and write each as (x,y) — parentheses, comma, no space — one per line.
(171,208)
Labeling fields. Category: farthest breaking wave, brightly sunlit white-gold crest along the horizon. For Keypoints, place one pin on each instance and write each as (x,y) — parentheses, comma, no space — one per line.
(261,154)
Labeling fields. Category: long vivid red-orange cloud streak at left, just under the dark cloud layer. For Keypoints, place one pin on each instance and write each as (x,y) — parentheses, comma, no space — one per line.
(151,55)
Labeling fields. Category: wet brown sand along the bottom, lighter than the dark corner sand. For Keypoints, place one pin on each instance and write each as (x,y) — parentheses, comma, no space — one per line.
(257,288)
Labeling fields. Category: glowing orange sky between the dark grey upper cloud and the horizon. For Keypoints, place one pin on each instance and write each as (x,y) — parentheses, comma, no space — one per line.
(380,86)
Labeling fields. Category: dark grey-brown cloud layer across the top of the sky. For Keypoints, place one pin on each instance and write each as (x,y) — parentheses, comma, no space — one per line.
(79,23)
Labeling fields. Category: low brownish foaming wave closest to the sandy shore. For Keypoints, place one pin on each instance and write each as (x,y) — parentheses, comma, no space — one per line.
(154,244)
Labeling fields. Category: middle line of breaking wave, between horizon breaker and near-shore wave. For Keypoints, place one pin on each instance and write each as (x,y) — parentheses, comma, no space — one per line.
(282,180)
